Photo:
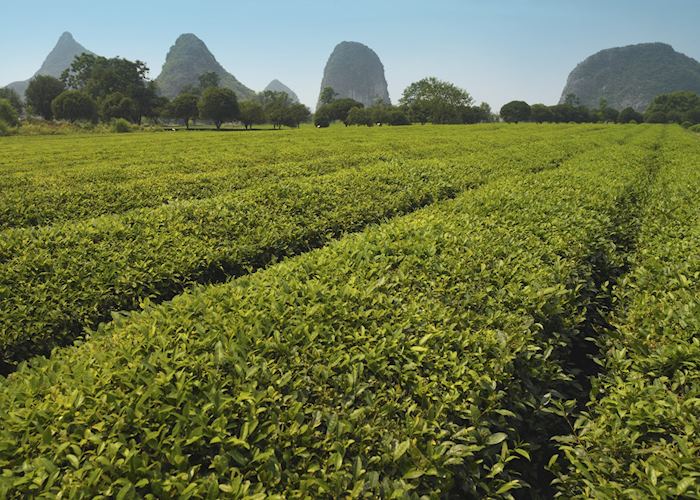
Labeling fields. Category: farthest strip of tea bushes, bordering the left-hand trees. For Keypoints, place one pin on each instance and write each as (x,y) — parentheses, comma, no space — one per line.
(73,178)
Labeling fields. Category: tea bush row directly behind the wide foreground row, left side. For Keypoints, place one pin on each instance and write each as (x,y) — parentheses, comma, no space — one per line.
(57,280)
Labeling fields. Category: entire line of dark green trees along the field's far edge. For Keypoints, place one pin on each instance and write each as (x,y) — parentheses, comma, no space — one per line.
(96,88)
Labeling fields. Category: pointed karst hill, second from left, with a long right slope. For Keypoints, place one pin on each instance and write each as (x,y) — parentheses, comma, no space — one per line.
(186,61)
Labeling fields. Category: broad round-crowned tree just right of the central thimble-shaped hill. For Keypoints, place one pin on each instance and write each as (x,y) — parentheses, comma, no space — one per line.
(436,100)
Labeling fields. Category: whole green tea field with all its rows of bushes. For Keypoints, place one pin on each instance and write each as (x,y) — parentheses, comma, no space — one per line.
(382,312)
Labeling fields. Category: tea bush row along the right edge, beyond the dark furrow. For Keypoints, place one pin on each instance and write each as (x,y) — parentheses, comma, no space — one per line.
(639,438)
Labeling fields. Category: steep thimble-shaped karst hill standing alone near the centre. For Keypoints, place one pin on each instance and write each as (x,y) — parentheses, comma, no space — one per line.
(354,70)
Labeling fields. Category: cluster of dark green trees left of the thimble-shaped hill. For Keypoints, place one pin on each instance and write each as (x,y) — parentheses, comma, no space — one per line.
(96,88)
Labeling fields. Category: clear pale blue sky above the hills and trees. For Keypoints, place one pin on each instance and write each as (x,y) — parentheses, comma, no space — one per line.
(498,50)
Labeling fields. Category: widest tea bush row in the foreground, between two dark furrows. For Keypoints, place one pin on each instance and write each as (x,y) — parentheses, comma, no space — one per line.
(392,363)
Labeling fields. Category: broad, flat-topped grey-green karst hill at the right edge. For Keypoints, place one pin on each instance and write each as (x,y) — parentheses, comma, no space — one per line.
(632,76)
